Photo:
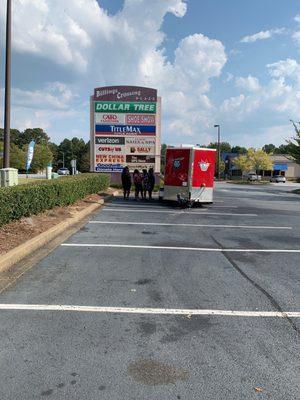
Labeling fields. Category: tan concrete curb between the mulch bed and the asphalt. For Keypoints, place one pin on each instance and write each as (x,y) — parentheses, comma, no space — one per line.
(15,255)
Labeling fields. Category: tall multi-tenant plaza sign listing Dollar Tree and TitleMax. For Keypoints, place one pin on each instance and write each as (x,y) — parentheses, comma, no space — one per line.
(125,128)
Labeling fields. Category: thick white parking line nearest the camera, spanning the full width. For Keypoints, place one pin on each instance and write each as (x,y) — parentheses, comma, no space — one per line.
(155,311)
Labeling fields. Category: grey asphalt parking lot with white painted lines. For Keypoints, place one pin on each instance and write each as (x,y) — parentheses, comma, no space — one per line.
(148,301)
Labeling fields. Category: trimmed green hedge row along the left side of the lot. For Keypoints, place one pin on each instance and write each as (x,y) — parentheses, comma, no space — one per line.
(24,200)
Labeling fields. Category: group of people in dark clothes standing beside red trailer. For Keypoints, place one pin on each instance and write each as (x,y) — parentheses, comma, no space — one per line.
(143,183)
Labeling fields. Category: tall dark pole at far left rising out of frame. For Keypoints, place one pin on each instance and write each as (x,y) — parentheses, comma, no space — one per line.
(7,87)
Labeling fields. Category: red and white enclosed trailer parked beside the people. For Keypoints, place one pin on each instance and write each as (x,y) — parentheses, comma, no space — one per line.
(189,174)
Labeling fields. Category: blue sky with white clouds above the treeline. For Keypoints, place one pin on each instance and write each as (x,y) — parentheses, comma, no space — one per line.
(229,62)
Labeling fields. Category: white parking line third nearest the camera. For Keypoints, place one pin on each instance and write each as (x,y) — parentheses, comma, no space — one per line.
(192,225)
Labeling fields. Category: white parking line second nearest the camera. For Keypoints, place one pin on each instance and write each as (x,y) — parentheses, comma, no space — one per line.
(208,249)
